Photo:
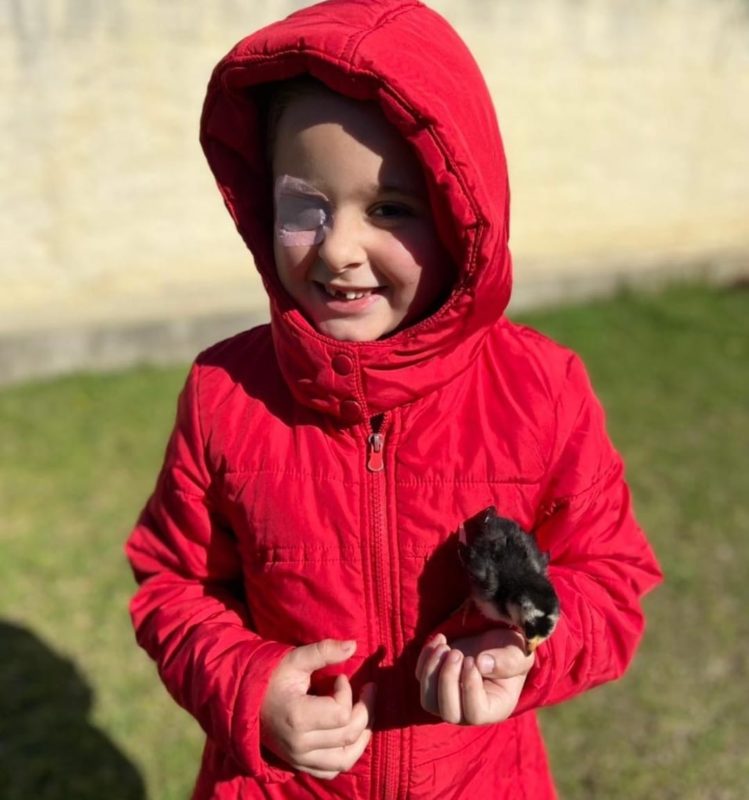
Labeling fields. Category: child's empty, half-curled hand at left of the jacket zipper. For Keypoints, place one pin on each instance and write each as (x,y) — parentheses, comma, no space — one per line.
(323,736)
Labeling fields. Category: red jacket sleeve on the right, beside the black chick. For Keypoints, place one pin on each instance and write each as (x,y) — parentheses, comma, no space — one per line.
(601,563)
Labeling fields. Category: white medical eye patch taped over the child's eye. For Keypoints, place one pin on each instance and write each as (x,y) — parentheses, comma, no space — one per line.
(302,213)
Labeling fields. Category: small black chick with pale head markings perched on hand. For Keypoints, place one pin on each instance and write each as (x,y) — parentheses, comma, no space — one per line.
(507,573)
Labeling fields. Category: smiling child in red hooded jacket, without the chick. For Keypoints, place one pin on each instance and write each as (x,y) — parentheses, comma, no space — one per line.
(298,564)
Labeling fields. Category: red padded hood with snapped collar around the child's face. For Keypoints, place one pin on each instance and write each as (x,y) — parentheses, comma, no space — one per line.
(408,59)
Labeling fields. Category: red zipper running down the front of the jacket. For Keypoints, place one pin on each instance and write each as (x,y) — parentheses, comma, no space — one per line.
(386,760)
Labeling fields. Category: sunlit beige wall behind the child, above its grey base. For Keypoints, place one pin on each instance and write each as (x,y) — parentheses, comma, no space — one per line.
(626,124)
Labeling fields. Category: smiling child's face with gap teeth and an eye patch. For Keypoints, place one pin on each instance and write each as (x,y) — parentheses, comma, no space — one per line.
(368,260)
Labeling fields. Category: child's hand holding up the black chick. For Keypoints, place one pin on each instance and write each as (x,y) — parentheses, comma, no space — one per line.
(452,687)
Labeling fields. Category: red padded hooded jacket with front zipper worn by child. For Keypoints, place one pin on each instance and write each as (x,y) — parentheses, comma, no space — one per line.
(268,529)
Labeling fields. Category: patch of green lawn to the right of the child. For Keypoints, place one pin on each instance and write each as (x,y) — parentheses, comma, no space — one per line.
(673,373)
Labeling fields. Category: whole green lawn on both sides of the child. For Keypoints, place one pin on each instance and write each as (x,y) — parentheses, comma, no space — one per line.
(83,715)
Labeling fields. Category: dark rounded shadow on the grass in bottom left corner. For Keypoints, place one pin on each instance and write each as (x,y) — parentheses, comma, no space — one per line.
(49,750)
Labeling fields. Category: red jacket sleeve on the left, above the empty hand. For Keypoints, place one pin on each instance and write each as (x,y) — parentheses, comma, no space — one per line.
(188,611)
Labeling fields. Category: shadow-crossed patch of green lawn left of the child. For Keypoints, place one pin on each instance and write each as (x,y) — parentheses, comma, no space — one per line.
(82,715)
